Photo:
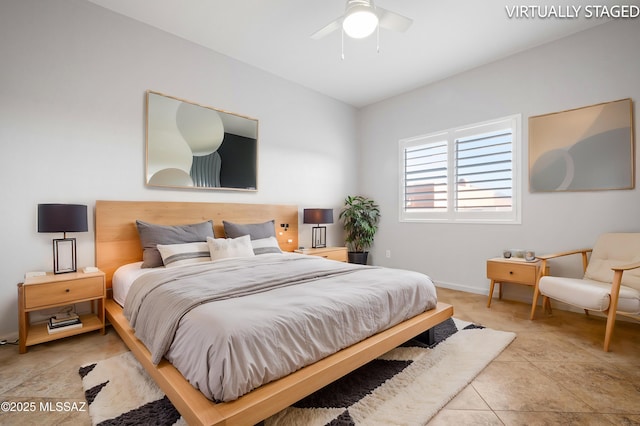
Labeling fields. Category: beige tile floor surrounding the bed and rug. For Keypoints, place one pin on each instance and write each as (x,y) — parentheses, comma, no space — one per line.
(555,372)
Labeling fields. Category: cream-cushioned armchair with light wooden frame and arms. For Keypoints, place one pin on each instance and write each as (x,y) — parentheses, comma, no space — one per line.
(611,282)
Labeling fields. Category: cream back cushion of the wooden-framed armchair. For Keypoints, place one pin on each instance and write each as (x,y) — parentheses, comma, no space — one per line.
(615,249)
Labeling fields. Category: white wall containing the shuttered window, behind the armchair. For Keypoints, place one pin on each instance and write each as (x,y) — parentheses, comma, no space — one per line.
(599,65)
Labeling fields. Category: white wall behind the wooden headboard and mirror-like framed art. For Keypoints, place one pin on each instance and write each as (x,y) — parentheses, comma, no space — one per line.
(72,90)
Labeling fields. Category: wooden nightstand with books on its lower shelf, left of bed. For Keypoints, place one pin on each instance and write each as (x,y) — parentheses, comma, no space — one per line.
(51,291)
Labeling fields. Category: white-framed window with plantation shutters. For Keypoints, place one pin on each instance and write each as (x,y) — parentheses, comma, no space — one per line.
(467,174)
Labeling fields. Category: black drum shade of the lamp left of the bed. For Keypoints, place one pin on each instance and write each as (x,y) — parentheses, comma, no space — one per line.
(62,218)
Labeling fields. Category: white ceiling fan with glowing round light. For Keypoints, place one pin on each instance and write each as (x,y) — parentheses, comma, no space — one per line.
(361,18)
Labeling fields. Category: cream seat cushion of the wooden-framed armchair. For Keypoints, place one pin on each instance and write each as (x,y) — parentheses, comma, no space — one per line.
(589,294)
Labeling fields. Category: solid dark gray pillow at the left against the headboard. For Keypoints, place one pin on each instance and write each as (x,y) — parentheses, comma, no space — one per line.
(151,235)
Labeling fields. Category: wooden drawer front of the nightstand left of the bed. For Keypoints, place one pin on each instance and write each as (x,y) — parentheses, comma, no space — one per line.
(40,295)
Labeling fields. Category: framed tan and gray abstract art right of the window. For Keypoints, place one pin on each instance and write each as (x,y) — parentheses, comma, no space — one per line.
(591,148)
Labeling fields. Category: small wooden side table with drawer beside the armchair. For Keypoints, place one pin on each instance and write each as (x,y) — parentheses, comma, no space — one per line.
(501,270)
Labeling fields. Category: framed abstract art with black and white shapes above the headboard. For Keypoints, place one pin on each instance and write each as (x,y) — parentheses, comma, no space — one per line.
(195,146)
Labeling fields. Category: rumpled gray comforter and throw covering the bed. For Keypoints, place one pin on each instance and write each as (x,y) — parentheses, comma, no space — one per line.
(232,325)
